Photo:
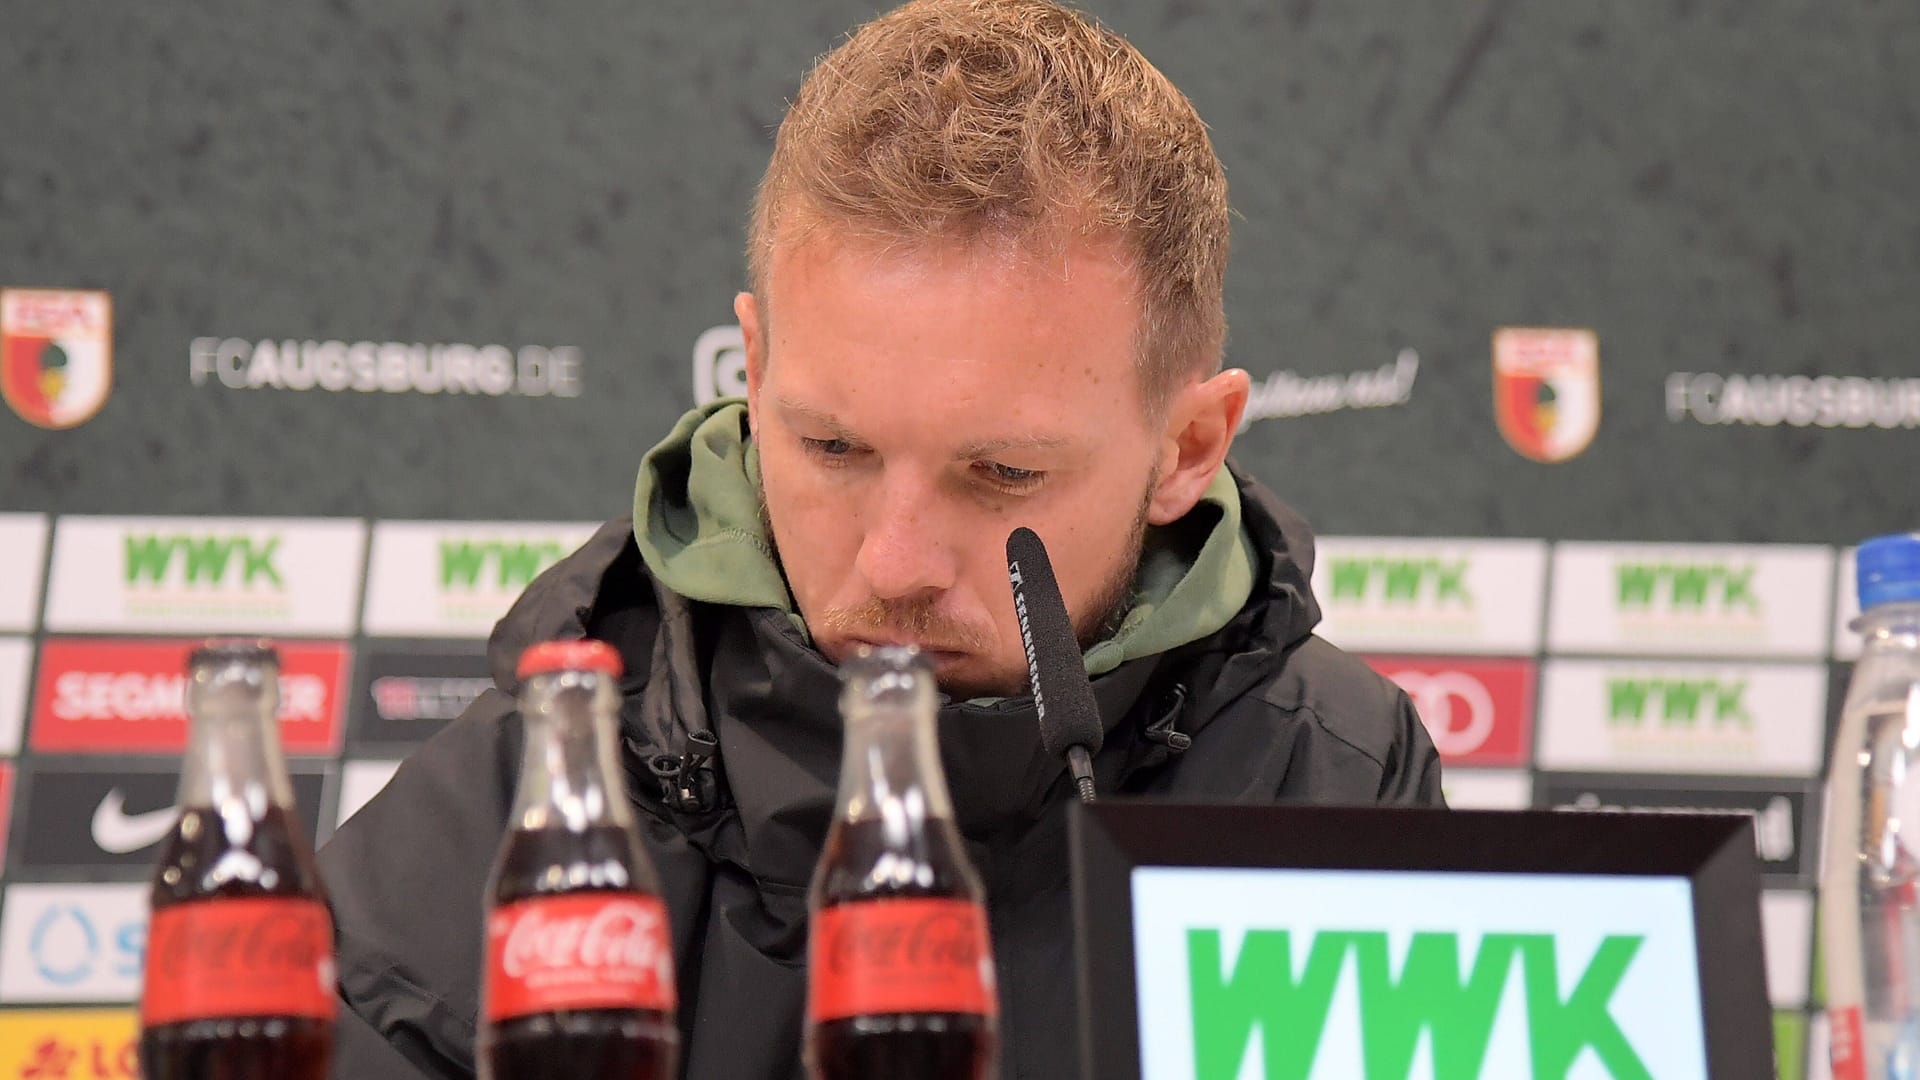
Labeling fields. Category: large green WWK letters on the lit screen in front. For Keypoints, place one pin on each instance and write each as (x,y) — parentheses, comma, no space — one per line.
(1445,993)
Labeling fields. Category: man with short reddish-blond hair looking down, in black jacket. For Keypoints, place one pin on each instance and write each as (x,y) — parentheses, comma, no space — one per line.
(988,266)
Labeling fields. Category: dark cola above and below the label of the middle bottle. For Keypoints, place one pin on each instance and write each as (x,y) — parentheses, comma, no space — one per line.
(587,1044)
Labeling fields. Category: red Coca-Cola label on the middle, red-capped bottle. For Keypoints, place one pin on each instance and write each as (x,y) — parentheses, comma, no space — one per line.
(587,950)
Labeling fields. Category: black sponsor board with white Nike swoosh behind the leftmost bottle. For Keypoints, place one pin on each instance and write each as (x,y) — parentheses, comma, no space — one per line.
(116,820)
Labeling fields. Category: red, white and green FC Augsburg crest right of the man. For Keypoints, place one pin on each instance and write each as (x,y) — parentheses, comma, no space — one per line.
(1547,391)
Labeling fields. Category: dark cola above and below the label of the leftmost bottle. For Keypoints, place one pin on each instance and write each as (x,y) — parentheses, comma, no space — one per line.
(281,864)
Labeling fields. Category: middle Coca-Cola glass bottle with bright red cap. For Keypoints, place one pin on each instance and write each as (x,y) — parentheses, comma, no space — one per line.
(579,958)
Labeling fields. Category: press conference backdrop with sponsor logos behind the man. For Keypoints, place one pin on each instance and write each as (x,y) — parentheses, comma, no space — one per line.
(1585,335)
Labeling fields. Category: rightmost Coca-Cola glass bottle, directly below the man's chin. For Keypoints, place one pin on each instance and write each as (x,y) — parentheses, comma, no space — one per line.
(900,964)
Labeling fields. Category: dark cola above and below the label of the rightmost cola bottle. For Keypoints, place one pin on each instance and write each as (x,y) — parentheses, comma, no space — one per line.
(921,1046)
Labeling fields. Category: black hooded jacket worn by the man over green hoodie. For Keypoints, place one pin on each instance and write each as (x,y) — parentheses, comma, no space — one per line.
(732,749)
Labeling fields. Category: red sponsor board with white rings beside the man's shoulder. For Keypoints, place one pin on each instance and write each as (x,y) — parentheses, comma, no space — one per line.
(1479,712)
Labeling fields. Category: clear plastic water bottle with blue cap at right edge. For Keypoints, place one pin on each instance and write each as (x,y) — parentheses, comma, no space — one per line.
(1871,877)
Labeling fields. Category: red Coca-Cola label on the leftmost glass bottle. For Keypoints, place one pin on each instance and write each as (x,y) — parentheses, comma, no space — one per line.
(239,958)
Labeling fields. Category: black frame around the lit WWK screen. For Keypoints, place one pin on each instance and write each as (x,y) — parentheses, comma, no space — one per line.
(1716,854)
